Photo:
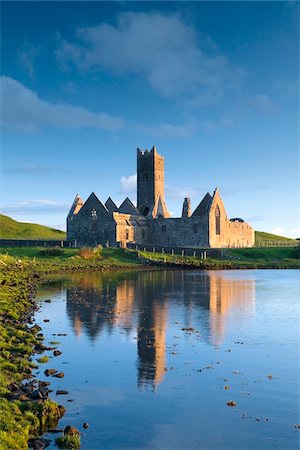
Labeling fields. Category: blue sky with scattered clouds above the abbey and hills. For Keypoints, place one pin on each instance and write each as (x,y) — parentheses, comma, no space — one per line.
(213,85)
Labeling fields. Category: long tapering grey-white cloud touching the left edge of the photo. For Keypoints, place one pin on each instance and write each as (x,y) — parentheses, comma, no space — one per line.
(23,110)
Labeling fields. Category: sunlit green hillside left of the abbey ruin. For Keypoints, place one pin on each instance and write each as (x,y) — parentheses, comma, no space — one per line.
(11,229)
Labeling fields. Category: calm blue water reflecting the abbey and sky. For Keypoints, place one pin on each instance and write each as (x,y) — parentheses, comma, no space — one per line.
(151,358)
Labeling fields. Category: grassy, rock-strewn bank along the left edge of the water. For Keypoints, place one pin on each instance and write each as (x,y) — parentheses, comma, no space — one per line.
(25,410)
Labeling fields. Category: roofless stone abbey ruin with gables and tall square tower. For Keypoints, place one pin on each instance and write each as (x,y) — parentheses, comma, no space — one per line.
(149,223)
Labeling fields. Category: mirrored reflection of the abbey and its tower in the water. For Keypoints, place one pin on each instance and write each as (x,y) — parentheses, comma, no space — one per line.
(139,302)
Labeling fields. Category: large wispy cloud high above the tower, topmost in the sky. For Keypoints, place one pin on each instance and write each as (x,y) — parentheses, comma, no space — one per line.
(162,48)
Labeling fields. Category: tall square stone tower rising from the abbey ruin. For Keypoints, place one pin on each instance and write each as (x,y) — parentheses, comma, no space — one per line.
(150,179)
